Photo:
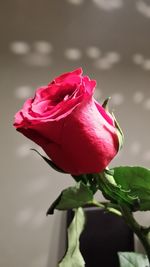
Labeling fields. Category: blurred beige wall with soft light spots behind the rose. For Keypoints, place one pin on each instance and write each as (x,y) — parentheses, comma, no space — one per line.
(39,40)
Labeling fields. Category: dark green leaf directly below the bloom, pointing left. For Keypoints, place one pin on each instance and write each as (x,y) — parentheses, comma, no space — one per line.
(72,197)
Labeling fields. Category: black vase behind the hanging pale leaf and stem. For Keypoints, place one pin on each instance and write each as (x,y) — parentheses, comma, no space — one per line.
(104,235)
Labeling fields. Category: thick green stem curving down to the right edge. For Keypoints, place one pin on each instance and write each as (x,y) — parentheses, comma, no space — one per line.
(140,231)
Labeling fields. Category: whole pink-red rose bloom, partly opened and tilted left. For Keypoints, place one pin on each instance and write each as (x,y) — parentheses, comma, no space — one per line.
(74,130)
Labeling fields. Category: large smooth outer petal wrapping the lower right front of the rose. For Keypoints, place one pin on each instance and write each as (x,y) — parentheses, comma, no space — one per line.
(88,144)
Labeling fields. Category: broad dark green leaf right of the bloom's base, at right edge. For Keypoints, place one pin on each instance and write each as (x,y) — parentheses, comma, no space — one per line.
(136,180)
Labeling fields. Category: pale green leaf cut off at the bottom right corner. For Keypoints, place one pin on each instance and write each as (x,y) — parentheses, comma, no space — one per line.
(131,259)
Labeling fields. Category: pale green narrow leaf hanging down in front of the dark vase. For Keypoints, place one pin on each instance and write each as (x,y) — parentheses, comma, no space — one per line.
(73,257)
